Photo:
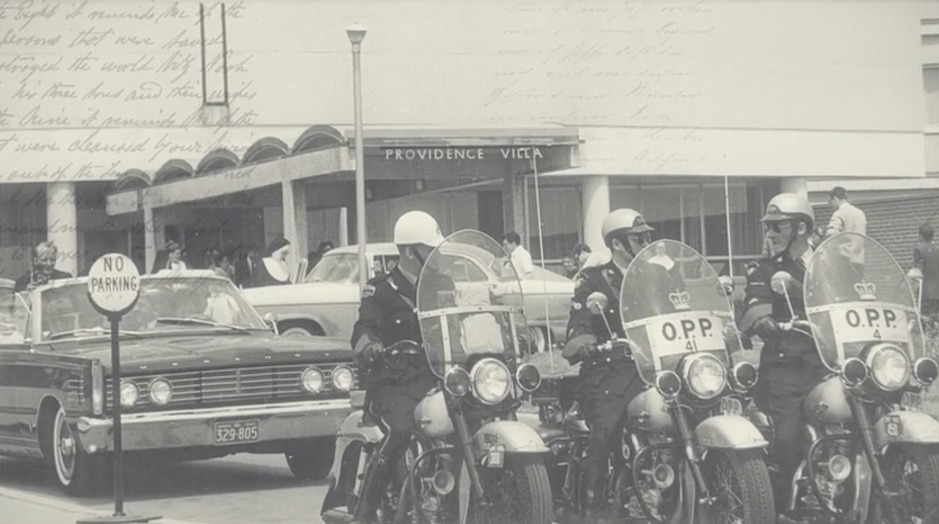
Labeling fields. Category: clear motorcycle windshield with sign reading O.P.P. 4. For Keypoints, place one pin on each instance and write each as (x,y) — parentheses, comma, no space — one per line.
(856,294)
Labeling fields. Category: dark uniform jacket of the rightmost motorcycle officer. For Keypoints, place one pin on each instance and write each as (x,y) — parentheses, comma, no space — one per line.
(786,347)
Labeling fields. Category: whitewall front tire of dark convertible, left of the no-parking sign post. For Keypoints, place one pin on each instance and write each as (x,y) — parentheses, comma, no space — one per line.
(77,472)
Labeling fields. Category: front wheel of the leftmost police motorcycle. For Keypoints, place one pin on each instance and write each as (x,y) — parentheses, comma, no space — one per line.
(518,493)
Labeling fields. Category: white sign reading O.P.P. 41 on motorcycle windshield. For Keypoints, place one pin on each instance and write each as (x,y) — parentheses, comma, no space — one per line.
(687,332)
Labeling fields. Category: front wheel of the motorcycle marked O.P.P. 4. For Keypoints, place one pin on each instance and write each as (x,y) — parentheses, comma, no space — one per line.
(912,477)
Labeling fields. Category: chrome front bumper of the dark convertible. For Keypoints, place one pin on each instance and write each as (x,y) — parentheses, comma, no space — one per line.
(195,427)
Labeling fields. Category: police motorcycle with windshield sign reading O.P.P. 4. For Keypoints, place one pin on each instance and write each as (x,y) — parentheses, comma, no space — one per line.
(872,456)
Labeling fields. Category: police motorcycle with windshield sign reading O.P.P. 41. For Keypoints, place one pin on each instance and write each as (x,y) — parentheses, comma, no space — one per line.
(695,457)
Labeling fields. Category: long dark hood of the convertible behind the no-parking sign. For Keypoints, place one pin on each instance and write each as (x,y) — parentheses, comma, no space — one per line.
(189,351)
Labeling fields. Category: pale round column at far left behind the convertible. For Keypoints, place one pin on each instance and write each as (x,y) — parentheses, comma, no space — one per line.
(62,224)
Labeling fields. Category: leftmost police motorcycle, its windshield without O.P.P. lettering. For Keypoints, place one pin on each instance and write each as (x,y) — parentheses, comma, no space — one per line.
(470,459)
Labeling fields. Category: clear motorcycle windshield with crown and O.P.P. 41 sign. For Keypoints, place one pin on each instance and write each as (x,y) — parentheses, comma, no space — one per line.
(673,304)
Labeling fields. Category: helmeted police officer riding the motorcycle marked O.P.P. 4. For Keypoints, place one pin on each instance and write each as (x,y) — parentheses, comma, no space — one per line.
(789,363)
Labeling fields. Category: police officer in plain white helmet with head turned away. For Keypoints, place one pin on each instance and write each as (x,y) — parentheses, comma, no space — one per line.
(387,315)
